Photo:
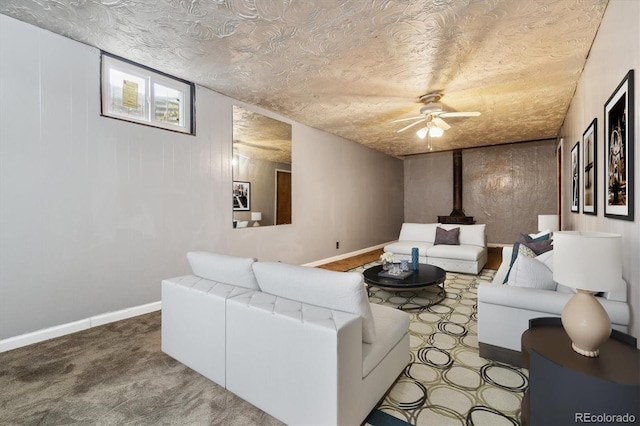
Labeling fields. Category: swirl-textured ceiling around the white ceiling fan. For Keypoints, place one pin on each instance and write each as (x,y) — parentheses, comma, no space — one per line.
(350,67)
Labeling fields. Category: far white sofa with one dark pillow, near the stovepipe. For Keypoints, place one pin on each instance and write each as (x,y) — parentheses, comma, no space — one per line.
(469,256)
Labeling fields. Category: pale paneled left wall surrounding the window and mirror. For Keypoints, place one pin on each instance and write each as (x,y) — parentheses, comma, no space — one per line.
(95,212)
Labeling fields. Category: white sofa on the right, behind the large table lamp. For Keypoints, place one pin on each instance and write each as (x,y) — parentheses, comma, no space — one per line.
(504,310)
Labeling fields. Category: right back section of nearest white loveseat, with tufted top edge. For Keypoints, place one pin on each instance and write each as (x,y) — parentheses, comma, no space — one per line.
(300,363)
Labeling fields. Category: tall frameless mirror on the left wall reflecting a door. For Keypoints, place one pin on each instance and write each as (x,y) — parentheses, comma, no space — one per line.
(261,170)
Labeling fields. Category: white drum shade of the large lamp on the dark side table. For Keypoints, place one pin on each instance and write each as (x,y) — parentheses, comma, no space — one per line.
(587,260)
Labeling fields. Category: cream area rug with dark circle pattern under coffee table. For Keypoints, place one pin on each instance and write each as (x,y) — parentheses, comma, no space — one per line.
(446,381)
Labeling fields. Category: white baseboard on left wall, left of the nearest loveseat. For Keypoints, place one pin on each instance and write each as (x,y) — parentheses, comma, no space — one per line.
(73,327)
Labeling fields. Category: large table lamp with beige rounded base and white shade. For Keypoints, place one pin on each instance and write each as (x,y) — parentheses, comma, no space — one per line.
(589,262)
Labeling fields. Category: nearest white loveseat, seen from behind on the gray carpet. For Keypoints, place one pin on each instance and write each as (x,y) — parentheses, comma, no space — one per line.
(300,343)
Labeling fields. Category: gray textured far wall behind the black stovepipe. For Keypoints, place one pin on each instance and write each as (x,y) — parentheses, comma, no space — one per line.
(505,187)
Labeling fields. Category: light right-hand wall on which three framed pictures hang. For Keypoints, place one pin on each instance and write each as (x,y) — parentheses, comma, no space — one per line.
(615,51)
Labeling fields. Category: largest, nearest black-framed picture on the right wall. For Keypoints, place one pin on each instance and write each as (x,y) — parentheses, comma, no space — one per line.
(618,151)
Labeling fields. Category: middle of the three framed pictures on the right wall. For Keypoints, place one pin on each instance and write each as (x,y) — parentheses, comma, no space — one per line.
(589,168)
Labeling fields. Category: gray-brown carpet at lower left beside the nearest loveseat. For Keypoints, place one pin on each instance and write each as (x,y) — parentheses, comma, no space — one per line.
(115,374)
